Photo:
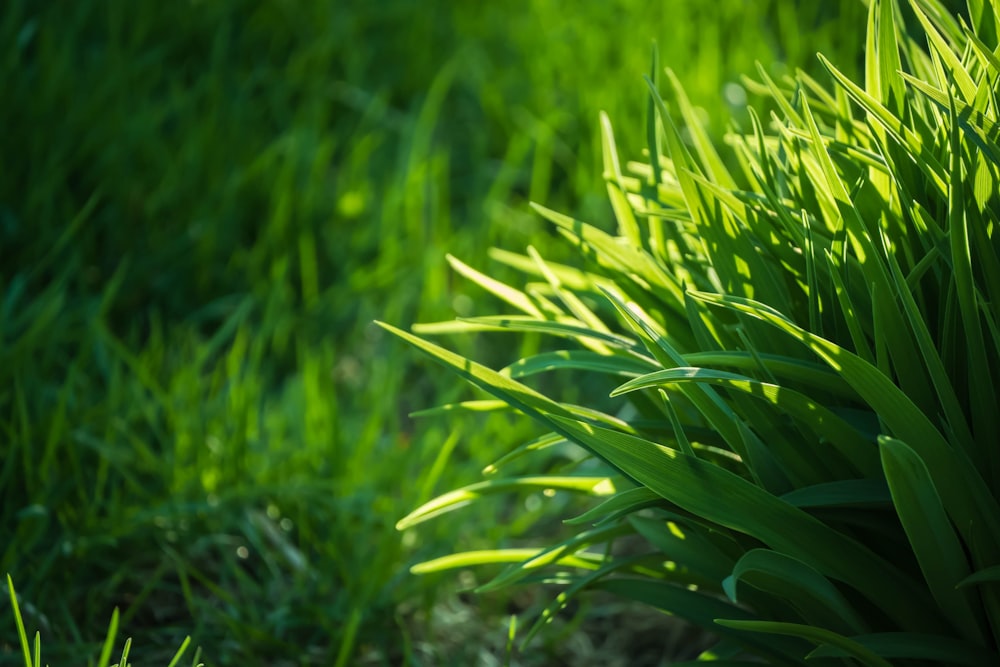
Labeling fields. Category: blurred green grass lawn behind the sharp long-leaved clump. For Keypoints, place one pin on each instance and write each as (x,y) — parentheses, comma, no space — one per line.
(204,204)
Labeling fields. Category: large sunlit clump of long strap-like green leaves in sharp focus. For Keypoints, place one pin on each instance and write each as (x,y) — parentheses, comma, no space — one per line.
(809,327)
